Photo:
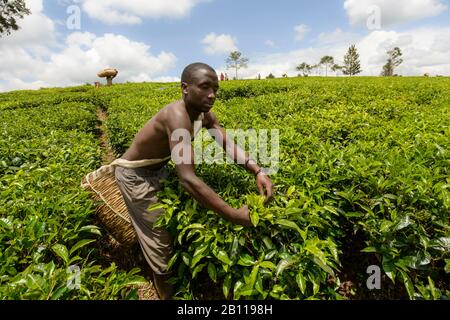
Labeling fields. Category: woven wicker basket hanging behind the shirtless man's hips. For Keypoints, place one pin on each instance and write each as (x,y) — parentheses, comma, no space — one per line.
(111,210)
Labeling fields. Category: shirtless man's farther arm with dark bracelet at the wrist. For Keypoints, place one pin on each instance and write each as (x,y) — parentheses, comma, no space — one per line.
(239,156)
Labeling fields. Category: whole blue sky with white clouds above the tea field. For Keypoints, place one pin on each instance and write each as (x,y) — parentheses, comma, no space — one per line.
(67,42)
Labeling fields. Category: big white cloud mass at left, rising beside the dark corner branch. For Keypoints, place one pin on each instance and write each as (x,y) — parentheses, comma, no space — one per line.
(32,58)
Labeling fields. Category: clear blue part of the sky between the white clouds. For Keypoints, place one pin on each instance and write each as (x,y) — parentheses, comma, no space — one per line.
(252,22)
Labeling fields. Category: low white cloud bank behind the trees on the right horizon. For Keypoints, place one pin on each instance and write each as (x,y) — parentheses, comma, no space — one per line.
(425,50)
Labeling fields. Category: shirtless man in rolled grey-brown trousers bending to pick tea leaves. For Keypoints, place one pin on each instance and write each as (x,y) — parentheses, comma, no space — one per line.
(199,83)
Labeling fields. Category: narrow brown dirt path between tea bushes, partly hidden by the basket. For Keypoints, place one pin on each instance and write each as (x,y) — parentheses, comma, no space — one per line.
(110,249)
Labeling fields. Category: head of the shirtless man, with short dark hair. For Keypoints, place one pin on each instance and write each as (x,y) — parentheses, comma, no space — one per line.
(199,83)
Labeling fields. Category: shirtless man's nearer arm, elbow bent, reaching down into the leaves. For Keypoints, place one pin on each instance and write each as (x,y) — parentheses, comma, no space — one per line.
(183,157)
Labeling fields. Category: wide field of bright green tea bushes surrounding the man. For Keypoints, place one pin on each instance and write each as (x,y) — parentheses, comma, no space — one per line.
(362,186)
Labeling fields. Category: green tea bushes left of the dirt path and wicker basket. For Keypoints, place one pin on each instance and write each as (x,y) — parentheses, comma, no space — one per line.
(46,224)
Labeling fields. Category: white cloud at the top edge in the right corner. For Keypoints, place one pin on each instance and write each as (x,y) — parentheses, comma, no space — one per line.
(392,12)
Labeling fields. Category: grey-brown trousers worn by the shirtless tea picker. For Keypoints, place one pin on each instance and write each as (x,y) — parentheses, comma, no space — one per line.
(139,187)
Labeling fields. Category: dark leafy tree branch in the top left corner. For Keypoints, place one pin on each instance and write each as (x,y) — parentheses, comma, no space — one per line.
(10,10)
